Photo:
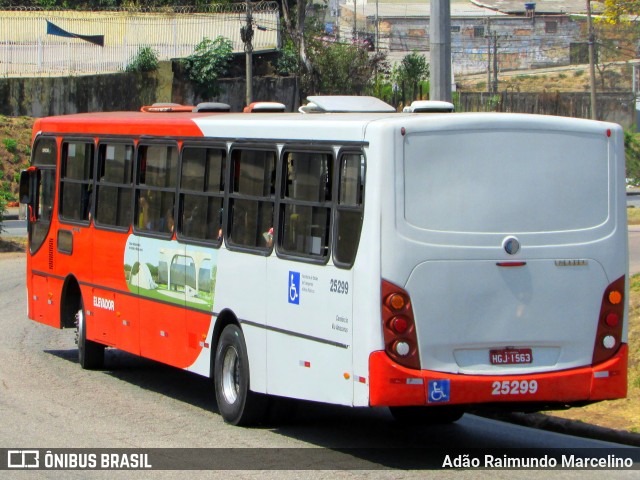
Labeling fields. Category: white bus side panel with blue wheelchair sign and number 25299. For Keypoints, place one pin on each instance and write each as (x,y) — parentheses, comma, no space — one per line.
(310,328)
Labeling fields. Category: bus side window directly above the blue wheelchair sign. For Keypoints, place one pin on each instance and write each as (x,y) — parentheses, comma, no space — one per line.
(305,210)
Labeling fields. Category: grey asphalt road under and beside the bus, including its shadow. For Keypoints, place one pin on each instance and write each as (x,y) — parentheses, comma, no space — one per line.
(48,401)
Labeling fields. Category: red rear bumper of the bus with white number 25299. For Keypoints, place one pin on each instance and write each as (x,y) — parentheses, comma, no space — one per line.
(394,385)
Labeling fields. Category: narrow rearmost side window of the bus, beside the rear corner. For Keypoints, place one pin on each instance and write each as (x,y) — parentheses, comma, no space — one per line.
(349,209)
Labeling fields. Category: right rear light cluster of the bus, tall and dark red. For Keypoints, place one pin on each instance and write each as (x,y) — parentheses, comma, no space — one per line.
(609,333)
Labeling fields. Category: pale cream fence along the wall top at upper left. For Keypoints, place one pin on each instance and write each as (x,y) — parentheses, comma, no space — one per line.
(26,49)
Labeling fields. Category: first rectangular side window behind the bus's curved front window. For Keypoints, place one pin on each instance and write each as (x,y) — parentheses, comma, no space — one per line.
(76,181)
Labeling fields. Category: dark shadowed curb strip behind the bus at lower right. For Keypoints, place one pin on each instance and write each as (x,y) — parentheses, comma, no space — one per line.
(575,428)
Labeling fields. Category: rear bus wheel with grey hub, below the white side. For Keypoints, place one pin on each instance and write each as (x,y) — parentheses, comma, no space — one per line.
(237,404)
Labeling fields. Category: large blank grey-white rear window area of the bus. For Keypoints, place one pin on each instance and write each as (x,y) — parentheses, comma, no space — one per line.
(505,181)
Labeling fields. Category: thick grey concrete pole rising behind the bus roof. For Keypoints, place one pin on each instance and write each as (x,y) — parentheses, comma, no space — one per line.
(440,40)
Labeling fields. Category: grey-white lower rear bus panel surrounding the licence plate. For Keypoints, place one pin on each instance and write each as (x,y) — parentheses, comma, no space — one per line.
(549,309)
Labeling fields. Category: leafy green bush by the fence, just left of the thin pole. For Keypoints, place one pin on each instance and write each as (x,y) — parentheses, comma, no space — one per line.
(209,62)
